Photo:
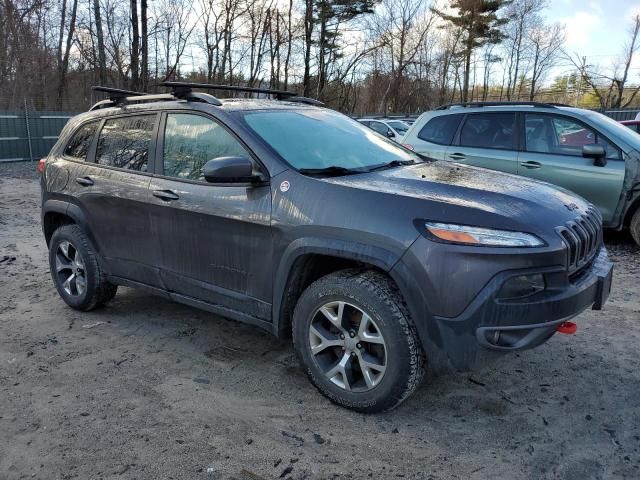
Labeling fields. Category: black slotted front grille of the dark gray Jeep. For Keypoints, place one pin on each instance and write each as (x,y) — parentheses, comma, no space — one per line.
(582,237)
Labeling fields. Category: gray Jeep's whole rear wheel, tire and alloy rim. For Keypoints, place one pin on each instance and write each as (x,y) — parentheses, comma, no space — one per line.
(76,271)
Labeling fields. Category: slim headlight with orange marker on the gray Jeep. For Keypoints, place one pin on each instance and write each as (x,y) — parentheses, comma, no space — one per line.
(482,236)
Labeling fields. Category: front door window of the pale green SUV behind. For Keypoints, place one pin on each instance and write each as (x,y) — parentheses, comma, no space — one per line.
(562,136)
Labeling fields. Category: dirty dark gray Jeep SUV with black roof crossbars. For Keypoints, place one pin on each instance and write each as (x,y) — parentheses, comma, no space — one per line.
(297,219)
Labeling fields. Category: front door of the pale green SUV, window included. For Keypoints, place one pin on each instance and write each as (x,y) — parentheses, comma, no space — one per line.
(553,153)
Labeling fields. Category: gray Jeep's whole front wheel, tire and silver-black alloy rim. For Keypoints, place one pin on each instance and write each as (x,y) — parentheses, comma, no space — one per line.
(354,336)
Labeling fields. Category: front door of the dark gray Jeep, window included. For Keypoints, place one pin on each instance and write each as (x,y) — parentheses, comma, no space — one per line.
(215,238)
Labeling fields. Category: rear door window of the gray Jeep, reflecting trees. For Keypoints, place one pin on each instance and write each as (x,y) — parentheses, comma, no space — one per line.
(124,142)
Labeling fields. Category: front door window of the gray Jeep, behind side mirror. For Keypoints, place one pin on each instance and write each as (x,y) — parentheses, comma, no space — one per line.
(190,141)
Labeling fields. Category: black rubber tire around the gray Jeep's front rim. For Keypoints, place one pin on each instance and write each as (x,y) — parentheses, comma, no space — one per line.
(378,296)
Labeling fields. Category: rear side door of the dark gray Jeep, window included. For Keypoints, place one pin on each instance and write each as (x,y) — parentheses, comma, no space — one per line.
(112,190)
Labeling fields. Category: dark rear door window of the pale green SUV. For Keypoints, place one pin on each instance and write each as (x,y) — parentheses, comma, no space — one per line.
(489,130)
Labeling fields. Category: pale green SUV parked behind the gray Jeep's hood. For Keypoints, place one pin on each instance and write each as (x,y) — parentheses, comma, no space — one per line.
(580,150)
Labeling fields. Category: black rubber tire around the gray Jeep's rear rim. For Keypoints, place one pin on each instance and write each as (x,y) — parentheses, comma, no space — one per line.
(98,290)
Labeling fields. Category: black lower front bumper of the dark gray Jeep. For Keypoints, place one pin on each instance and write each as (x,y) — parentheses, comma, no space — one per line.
(489,325)
